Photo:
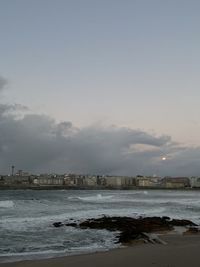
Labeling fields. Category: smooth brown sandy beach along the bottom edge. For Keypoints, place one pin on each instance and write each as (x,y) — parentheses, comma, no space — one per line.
(180,251)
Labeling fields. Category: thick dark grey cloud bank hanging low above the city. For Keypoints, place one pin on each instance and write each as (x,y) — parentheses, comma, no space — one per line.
(37,143)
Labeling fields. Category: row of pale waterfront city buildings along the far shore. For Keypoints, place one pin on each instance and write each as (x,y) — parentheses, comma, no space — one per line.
(95,181)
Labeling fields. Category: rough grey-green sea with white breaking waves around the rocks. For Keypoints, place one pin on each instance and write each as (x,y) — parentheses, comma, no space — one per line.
(27,217)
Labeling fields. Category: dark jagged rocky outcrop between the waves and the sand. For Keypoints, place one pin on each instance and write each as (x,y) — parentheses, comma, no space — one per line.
(131,228)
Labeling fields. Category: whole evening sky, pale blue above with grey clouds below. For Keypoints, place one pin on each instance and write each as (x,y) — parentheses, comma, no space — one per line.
(103,87)
